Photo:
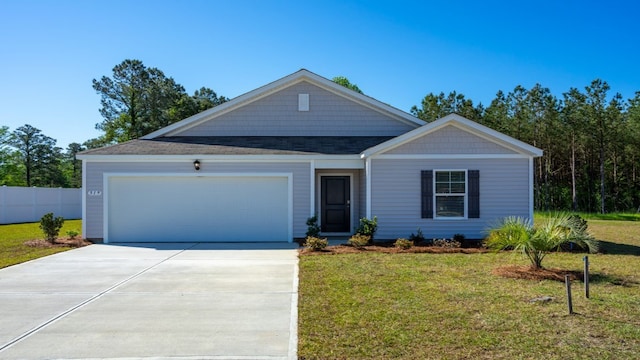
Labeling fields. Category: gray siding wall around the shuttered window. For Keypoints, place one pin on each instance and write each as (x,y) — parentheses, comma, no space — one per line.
(396,200)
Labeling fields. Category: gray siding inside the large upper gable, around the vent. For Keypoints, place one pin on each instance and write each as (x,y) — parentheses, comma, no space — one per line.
(278,115)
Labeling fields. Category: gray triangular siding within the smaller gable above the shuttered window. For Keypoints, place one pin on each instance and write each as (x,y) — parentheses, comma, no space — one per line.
(440,142)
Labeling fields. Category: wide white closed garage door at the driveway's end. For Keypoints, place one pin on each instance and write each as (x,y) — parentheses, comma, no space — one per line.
(197,209)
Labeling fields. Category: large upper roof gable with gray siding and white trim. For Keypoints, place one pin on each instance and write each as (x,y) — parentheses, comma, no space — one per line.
(264,112)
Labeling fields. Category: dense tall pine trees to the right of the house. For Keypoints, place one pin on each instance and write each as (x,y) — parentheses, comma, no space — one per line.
(590,138)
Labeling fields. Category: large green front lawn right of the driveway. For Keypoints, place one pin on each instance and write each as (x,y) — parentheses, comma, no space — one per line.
(450,306)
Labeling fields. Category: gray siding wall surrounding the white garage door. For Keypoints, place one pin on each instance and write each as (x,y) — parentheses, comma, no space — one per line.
(95,171)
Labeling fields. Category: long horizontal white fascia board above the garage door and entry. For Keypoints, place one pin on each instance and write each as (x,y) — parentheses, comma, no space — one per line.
(229,158)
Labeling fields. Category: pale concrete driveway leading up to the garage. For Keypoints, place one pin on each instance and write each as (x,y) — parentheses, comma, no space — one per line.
(191,301)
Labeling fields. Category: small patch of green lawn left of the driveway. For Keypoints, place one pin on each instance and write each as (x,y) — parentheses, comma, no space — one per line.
(13,237)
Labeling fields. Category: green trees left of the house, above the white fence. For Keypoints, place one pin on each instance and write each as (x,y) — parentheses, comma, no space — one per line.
(135,101)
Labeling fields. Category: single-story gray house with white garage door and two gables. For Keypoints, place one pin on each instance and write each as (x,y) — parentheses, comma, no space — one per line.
(256,167)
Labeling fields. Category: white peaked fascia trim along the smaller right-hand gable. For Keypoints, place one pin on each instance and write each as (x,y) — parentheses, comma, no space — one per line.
(461,123)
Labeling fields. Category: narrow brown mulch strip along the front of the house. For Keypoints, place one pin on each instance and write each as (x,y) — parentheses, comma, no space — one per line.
(346,249)
